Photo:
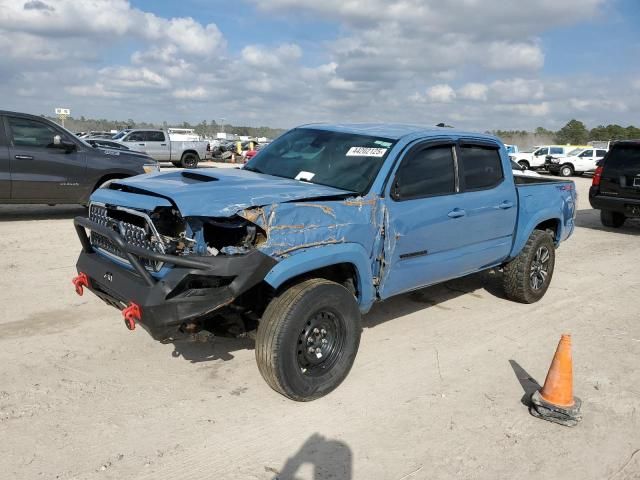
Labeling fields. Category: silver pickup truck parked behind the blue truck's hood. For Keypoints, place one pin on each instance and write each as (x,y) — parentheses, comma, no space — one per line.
(158,145)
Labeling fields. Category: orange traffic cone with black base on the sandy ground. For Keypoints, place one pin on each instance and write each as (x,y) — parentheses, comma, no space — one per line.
(555,401)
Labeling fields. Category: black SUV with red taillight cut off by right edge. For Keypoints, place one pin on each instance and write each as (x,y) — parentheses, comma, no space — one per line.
(615,190)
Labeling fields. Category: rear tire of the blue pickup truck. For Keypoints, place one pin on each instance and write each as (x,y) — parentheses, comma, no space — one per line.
(517,277)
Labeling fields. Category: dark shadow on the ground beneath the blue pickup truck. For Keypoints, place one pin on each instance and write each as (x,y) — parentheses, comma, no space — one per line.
(220,347)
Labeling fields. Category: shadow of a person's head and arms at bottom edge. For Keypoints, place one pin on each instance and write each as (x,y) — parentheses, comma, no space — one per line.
(329,459)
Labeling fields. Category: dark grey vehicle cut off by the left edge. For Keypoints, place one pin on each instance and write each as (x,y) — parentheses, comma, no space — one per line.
(41,162)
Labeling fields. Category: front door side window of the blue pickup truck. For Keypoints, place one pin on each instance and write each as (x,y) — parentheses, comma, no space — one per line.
(426,173)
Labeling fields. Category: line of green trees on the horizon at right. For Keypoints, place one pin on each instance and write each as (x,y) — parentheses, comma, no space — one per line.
(575,132)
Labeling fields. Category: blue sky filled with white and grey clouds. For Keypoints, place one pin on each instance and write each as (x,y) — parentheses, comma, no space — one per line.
(474,64)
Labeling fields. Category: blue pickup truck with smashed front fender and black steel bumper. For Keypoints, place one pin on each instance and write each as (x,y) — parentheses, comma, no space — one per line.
(301,241)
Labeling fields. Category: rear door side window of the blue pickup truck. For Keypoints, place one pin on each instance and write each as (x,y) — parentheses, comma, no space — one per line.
(480,167)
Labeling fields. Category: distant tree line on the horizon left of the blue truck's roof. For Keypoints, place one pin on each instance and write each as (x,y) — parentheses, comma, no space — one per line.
(204,128)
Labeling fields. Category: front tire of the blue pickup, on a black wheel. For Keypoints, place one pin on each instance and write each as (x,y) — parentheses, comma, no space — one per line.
(279,340)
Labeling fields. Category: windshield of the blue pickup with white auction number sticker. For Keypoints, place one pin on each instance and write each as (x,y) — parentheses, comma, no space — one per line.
(341,160)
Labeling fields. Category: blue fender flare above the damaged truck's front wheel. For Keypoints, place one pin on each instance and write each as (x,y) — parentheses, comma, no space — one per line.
(325,256)
